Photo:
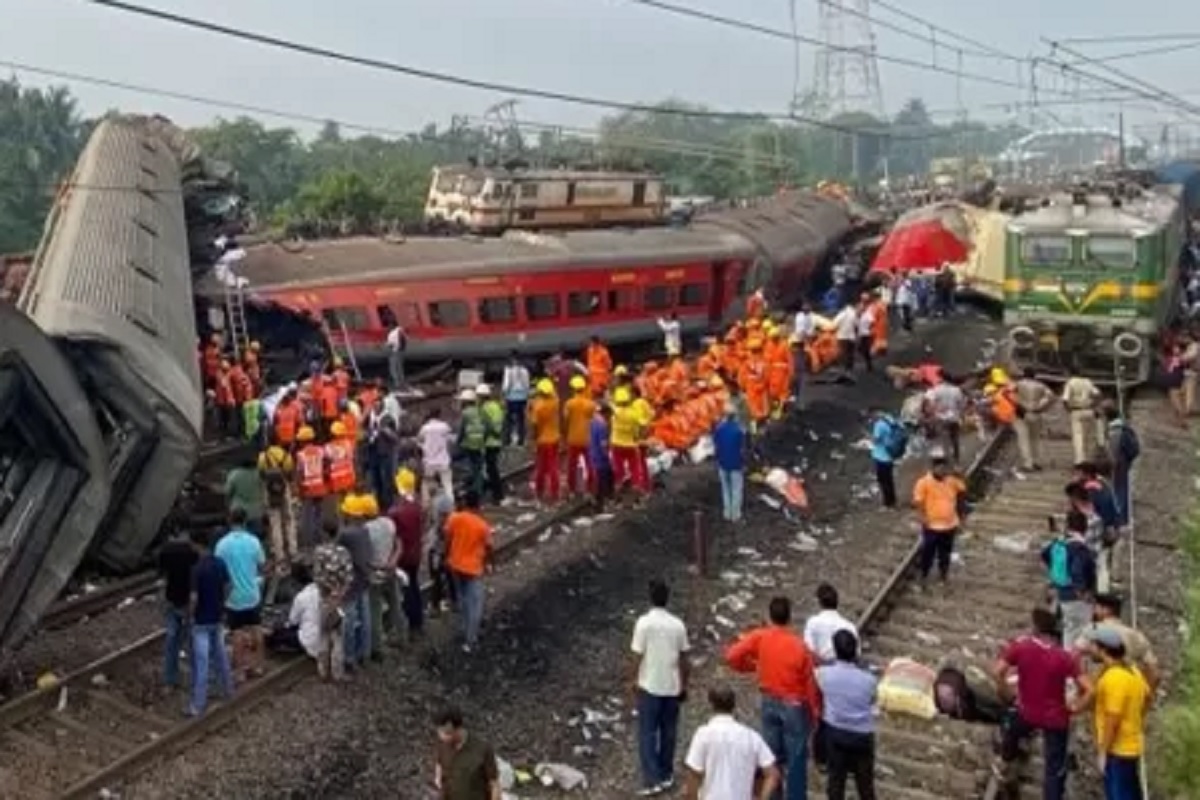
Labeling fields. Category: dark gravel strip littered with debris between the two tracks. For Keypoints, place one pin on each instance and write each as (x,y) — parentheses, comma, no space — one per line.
(548,683)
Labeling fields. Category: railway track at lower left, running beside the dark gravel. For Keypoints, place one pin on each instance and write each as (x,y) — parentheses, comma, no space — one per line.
(112,718)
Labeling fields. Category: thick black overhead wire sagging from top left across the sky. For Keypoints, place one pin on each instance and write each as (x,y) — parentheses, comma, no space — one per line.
(448,79)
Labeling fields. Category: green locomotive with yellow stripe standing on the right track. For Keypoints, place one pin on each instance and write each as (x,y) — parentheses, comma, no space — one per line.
(1091,280)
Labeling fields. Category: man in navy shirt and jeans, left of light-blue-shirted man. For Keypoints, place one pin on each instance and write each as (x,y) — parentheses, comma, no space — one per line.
(211,585)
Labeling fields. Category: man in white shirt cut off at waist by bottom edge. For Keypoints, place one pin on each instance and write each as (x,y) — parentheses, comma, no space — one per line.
(725,756)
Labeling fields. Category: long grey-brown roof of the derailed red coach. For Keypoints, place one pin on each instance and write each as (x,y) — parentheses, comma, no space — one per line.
(284,266)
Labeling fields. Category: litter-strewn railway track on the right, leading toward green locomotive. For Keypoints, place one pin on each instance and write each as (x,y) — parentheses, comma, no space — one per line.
(995,582)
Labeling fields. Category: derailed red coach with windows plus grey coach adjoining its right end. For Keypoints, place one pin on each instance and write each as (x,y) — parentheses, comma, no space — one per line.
(484,298)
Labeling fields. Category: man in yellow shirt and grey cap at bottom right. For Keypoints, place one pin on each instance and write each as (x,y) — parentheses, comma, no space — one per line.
(1121,699)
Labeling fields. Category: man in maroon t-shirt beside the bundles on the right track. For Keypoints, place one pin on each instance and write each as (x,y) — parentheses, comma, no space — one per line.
(1043,671)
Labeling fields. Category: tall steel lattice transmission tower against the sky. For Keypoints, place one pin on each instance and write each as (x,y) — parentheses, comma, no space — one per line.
(847,77)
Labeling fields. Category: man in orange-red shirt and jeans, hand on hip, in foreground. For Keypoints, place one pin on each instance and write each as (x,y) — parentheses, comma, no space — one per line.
(791,702)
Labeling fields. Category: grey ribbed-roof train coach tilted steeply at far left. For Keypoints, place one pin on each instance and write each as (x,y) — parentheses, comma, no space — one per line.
(112,285)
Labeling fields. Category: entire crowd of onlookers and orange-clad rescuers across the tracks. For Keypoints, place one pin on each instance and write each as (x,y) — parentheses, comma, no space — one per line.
(355,516)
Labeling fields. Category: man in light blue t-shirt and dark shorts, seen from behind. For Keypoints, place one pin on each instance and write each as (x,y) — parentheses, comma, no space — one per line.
(244,560)
